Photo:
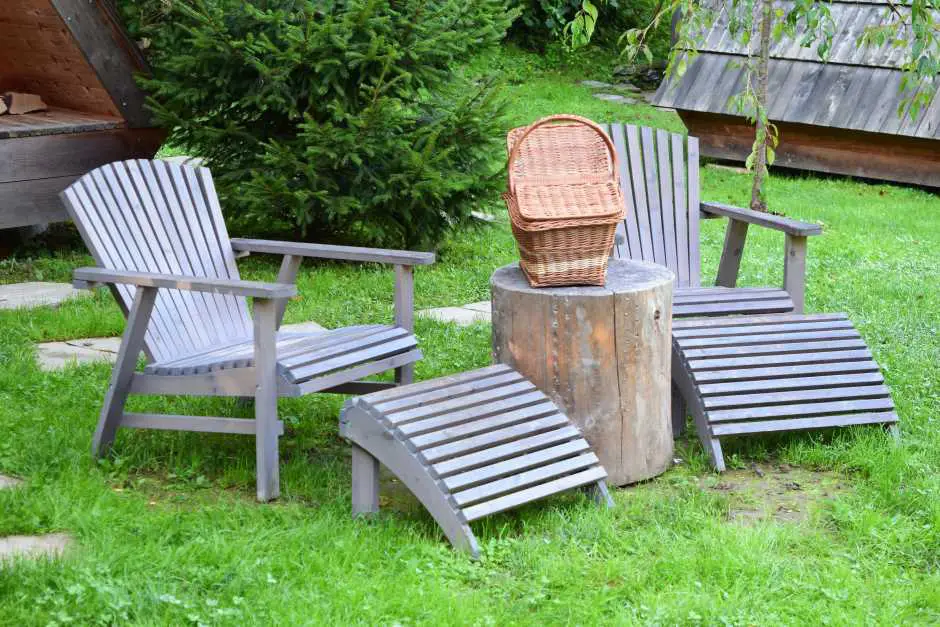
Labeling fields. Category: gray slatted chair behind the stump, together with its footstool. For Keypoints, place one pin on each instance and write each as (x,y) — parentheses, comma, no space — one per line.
(745,360)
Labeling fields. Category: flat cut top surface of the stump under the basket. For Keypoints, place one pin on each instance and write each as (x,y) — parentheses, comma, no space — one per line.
(622,276)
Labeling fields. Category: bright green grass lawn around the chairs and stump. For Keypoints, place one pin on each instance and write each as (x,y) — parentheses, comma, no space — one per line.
(168,531)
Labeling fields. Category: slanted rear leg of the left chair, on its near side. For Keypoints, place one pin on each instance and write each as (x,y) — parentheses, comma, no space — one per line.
(131,344)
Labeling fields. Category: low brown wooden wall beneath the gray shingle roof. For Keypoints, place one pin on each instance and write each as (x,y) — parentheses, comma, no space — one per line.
(879,156)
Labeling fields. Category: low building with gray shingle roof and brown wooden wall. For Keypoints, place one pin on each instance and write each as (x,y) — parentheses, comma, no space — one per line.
(838,117)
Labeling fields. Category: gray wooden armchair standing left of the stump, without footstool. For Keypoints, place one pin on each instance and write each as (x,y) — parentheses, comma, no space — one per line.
(156,232)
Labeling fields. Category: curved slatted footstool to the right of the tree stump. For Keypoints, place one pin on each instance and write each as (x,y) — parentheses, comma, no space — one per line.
(760,374)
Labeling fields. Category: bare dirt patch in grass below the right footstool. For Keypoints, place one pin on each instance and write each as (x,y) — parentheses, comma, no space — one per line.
(775,492)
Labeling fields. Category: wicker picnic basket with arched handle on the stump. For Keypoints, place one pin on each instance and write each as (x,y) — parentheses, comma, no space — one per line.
(564,200)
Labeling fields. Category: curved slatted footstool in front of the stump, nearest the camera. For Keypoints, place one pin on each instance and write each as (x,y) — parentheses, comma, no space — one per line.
(468,446)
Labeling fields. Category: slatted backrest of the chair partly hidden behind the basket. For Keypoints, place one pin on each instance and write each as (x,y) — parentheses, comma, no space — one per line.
(659,174)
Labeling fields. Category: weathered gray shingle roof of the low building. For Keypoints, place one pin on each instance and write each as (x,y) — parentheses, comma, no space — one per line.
(857,89)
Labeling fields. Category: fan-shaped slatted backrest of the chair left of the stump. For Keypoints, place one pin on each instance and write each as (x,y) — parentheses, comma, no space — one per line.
(155,216)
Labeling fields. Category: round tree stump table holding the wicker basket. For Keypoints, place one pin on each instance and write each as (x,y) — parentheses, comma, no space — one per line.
(602,354)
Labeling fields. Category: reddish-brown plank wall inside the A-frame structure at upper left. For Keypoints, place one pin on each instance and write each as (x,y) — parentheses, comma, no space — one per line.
(40,56)
